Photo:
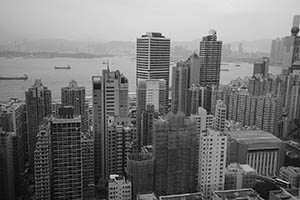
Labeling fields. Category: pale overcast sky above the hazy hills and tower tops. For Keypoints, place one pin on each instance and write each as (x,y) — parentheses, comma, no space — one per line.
(127,19)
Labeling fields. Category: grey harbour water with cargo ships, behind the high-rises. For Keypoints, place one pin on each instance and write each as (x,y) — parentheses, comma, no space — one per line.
(82,71)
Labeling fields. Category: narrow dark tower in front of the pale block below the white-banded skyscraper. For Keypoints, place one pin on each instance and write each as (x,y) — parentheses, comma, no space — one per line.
(147,119)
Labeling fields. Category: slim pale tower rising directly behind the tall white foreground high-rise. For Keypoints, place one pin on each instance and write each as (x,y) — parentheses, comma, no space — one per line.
(220,116)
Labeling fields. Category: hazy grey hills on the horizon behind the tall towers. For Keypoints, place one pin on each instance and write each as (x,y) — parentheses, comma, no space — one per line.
(179,49)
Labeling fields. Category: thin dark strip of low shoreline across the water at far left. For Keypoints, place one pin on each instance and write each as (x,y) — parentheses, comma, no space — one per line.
(48,55)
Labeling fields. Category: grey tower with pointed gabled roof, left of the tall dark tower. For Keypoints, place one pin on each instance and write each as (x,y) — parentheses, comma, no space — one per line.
(194,64)
